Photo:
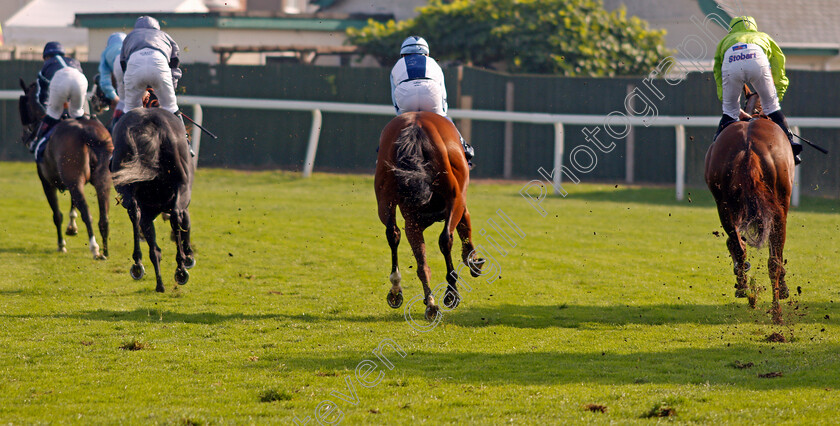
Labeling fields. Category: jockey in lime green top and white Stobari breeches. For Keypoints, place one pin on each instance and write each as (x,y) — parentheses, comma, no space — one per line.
(746,55)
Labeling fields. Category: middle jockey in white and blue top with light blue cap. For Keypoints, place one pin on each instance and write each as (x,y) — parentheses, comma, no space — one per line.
(417,83)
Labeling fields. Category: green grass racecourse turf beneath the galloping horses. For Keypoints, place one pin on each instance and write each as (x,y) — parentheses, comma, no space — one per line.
(619,297)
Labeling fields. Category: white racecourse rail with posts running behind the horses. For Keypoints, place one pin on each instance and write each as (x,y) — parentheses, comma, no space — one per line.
(557,120)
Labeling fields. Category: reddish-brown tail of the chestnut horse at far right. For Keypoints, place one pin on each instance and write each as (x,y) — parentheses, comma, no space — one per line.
(756,206)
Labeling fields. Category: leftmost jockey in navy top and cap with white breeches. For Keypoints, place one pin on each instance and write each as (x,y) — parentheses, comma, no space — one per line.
(60,80)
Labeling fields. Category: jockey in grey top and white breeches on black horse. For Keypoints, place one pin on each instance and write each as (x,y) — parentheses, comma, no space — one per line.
(149,57)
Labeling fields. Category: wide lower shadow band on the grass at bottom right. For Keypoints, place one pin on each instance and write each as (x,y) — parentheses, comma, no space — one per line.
(818,367)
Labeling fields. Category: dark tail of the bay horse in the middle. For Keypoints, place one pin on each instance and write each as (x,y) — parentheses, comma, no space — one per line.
(412,169)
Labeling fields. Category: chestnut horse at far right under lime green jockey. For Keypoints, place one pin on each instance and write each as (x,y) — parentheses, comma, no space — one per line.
(749,169)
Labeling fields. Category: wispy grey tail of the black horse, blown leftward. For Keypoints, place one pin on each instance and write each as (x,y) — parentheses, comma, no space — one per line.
(144,140)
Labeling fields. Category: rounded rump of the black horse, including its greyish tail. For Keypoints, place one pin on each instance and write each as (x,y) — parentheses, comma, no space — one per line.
(145,142)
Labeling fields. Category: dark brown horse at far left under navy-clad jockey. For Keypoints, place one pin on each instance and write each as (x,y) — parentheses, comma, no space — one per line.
(77,153)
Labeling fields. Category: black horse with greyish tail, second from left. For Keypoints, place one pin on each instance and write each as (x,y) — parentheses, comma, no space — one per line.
(153,173)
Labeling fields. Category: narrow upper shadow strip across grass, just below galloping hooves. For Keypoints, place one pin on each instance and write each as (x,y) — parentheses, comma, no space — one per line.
(507,315)
